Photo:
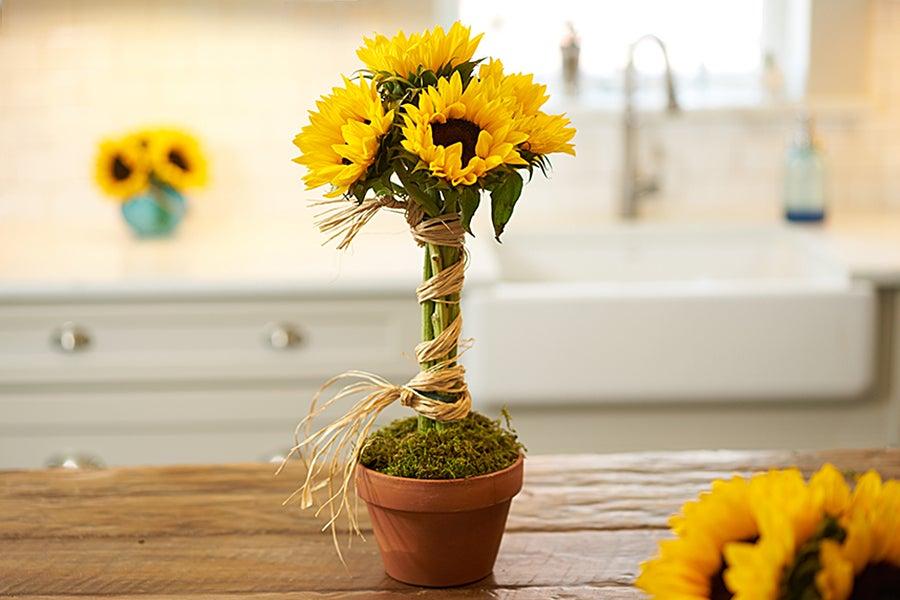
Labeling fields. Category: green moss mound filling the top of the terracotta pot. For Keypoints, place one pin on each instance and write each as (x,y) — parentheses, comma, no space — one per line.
(469,447)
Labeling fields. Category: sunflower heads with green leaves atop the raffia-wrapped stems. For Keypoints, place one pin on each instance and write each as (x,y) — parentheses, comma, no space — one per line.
(424,123)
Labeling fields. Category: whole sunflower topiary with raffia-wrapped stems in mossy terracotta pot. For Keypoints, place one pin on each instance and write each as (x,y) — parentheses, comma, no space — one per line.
(427,131)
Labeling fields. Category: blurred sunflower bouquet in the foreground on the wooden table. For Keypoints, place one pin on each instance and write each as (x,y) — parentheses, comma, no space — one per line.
(775,536)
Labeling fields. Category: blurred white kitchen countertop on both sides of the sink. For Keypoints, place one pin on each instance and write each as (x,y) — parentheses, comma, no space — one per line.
(59,261)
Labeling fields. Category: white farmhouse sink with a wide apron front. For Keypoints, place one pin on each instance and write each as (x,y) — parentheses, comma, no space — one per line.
(663,313)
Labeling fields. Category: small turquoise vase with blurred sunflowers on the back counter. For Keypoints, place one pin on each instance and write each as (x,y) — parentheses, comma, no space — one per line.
(147,171)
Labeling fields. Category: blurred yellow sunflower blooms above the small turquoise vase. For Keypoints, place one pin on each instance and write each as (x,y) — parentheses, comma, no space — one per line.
(128,165)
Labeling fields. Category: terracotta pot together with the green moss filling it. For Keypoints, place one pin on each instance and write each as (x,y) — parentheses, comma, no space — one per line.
(438,499)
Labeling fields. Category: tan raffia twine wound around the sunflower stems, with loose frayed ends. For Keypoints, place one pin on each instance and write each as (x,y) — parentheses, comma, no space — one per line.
(330,454)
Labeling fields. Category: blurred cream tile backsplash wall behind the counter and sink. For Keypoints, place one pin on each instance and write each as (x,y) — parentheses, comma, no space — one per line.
(242,74)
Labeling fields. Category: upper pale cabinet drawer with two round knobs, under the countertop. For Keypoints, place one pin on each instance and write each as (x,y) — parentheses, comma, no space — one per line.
(183,341)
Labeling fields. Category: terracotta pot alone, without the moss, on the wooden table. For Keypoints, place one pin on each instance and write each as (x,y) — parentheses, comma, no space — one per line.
(439,532)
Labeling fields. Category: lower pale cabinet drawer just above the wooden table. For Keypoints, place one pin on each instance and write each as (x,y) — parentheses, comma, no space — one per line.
(124,426)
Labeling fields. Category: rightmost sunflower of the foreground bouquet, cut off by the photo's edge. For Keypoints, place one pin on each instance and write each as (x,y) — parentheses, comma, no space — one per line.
(867,563)
